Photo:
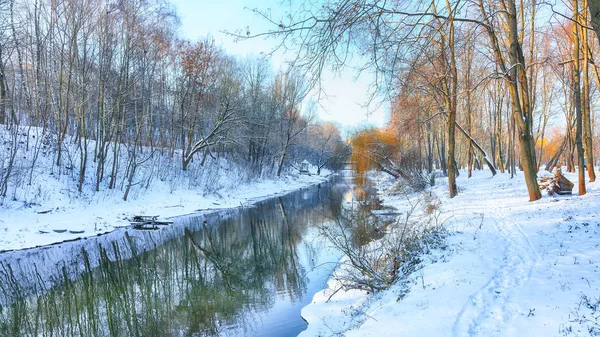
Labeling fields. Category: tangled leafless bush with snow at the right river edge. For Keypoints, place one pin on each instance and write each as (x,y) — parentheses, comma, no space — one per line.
(378,253)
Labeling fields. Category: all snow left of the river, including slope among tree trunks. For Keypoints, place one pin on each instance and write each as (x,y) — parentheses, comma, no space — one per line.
(50,209)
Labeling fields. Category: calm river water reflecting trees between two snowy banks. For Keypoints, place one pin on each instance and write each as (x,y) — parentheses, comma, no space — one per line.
(240,272)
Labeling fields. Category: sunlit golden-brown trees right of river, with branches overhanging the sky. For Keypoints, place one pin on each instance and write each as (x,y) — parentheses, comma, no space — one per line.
(471,83)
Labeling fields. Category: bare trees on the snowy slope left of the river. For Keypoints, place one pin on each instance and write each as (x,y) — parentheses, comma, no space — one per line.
(115,80)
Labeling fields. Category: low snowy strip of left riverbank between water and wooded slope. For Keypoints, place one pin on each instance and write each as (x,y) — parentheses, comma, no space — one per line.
(61,215)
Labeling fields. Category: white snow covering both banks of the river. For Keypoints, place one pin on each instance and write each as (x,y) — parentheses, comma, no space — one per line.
(511,267)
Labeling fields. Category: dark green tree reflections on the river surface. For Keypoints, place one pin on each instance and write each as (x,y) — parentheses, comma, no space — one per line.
(211,277)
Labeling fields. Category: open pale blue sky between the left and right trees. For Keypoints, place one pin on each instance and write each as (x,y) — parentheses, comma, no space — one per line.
(346,95)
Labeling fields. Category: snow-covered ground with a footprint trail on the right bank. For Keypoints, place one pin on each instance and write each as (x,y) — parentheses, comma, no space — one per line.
(511,268)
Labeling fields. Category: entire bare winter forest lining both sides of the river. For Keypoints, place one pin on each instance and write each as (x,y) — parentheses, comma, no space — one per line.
(105,88)
